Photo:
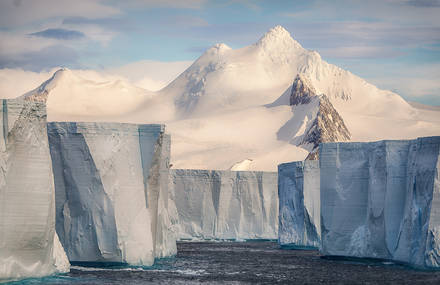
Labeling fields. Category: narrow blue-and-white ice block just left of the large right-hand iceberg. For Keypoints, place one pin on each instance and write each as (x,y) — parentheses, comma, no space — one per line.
(299,214)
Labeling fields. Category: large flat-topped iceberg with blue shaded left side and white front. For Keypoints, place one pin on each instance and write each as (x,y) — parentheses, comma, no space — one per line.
(111,184)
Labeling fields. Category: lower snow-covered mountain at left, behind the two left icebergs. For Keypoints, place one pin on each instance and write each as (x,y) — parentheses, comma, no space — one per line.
(71,97)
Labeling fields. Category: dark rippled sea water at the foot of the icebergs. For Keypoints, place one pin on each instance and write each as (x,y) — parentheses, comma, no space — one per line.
(252,262)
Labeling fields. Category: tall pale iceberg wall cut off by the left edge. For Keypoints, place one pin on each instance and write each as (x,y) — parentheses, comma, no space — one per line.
(29,246)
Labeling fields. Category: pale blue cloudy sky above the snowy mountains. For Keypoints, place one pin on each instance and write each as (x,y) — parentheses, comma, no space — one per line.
(394,44)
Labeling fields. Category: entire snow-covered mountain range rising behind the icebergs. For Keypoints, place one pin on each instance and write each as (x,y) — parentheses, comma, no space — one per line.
(265,104)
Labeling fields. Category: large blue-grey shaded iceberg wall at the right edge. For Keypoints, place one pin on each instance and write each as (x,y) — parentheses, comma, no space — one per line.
(382,200)
